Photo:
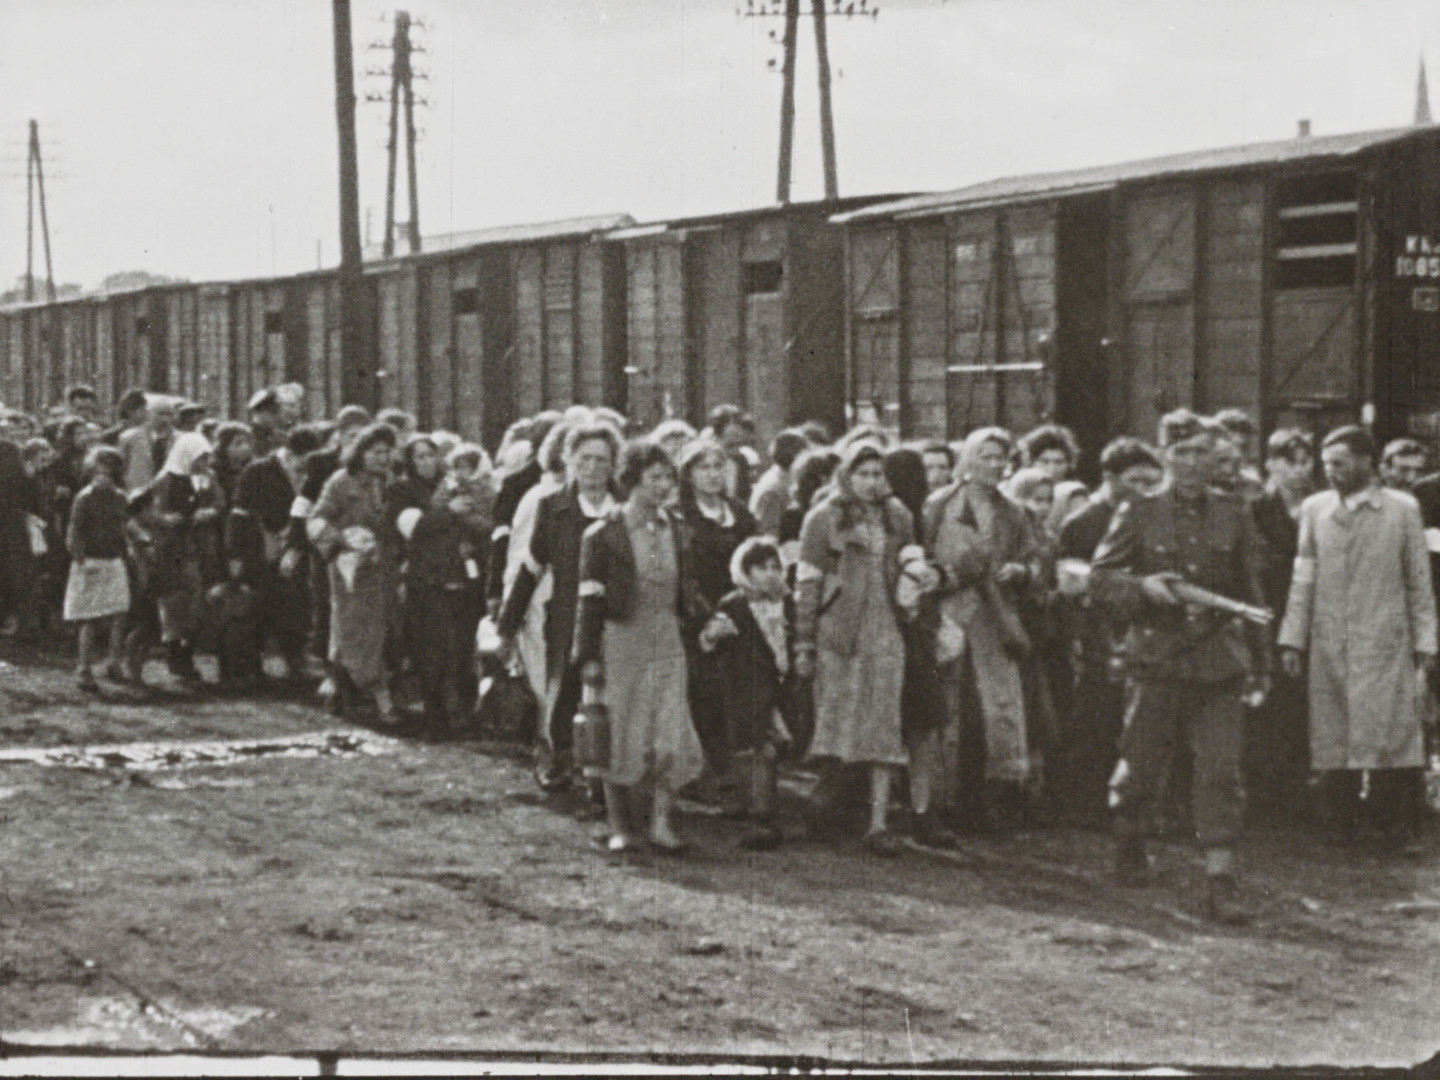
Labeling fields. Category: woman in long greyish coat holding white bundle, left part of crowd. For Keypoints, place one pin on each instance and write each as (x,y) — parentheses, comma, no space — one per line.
(354,534)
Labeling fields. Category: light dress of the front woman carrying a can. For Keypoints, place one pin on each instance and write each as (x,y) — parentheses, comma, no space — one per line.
(653,739)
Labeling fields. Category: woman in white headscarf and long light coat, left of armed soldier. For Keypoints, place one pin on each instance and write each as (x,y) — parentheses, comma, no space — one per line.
(987,554)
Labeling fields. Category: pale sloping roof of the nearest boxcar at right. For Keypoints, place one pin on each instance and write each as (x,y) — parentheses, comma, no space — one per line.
(1105,178)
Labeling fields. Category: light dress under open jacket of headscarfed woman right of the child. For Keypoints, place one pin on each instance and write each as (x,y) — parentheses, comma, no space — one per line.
(858,698)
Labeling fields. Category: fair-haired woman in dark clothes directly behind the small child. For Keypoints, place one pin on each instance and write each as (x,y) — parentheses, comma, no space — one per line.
(712,525)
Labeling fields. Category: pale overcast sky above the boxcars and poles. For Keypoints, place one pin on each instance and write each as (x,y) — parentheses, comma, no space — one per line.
(197,139)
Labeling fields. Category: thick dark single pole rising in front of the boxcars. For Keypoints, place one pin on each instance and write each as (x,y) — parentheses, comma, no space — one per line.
(355,336)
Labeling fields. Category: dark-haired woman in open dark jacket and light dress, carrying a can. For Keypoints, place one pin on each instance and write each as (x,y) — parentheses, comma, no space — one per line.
(634,604)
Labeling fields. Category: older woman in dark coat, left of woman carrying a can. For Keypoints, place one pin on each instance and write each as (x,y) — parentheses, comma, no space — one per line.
(555,551)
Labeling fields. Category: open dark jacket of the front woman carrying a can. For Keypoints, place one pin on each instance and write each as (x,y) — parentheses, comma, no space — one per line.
(608,585)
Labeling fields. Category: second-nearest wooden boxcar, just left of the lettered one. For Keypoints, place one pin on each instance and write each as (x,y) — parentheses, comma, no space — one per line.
(741,307)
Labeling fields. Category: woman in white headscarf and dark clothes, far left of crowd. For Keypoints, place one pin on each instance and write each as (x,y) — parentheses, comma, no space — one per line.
(186,500)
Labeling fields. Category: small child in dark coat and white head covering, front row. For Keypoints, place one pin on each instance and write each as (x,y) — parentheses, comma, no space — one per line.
(752,639)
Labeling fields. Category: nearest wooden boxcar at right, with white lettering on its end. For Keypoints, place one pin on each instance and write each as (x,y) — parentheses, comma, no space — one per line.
(1294,280)
